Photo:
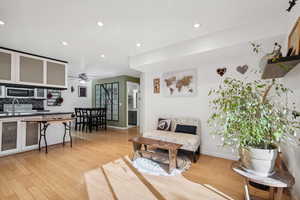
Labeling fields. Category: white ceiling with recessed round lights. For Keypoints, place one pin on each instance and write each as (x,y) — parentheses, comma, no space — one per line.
(39,26)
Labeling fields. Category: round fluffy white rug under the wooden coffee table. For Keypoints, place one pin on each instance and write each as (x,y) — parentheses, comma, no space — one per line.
(158,165)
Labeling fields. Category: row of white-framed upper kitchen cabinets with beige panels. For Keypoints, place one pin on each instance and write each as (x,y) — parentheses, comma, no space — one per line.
(24,69)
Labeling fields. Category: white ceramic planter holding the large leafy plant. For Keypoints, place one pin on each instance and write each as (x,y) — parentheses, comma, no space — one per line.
(259,161)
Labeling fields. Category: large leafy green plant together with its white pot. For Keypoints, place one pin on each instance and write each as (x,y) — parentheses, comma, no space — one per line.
(252,117)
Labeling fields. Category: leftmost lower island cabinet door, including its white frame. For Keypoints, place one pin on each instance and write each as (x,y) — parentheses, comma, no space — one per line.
(9,140)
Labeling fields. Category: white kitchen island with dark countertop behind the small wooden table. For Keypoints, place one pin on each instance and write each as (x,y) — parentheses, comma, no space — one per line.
(17,135)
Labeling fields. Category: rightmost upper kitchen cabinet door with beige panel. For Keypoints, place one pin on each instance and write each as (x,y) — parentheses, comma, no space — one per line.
(56,74)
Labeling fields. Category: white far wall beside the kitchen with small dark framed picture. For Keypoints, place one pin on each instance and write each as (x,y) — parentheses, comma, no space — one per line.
(71,100)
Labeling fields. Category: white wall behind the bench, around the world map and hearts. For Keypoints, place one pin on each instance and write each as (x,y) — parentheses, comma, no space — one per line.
(157,105)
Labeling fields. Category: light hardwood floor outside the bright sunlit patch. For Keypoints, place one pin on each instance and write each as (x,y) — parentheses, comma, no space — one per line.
(59,174)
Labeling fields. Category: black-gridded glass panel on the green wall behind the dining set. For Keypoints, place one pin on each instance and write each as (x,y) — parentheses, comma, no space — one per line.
(108,94)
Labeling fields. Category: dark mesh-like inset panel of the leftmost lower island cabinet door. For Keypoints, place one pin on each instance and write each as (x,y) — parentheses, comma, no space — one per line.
(9,136)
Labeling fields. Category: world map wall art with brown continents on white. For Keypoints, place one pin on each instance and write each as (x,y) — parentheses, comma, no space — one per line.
(180,83)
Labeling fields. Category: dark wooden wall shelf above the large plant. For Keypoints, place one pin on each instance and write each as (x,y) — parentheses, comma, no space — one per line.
(280,67)
